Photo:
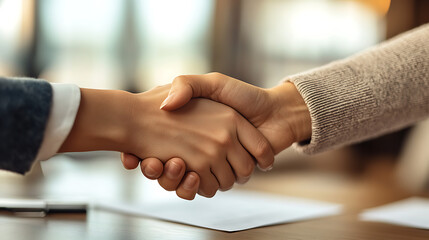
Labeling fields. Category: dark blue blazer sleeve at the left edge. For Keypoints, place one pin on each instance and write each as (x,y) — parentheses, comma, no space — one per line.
(24,110)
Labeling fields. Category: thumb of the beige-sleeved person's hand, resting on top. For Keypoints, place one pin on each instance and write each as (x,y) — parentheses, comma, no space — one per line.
(186,87)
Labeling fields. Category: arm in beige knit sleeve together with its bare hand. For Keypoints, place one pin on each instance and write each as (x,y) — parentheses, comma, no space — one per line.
(372,93)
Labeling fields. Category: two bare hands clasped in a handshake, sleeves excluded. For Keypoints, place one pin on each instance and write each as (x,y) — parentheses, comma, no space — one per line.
(200,134)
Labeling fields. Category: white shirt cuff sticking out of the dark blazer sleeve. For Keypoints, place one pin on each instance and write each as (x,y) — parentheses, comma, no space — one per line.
(65,104)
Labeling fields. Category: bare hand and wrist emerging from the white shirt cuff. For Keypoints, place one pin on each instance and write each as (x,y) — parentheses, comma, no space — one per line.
(218,144)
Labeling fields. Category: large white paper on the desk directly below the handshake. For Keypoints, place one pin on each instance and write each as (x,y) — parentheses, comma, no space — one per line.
(231,211)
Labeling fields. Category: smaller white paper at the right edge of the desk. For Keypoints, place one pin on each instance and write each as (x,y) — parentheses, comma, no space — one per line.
(411,212)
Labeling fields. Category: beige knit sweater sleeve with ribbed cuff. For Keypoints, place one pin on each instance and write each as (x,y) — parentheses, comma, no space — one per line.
(375,92)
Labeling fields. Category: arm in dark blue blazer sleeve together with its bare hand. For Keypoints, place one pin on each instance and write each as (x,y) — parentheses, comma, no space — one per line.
(211,137)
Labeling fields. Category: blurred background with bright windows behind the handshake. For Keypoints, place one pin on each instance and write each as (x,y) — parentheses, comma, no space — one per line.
(135,45)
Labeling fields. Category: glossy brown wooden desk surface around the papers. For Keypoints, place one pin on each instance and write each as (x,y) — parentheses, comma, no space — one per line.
(103,177)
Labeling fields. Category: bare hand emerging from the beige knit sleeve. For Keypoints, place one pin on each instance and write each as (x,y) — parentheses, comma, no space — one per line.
(279,113)
